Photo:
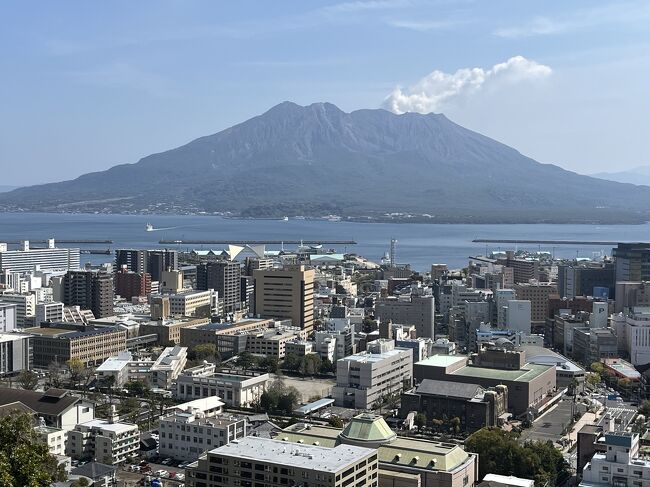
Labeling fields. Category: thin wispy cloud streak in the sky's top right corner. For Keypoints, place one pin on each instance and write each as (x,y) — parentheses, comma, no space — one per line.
(615,13)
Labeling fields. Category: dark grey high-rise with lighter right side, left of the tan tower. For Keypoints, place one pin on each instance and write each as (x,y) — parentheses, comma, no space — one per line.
(223,276)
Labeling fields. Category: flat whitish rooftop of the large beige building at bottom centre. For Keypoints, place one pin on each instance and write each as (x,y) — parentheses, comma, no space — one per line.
(302,456)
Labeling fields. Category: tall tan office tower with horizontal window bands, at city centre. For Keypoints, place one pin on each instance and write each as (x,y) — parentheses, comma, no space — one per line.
(286,293)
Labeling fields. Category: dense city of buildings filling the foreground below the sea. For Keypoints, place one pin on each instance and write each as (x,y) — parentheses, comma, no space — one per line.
(249,367)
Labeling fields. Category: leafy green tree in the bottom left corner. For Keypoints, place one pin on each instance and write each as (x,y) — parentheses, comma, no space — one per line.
(25,460)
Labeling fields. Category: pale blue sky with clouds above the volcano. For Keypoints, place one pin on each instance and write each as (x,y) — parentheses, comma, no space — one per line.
(87,85)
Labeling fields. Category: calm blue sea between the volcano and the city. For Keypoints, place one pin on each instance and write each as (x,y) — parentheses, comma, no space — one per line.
(418,244)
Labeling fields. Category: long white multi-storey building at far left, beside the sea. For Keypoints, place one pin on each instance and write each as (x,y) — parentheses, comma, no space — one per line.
(26,259)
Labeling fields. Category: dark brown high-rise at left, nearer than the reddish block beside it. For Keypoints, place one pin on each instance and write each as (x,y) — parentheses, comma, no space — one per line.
(91,290)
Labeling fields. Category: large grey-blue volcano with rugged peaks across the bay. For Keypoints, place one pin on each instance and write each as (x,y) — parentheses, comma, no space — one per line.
(317,160)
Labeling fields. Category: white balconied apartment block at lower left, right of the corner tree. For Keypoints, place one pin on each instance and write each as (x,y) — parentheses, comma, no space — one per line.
(103,441)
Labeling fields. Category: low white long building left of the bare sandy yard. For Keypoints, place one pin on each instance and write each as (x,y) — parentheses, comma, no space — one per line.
(235,388)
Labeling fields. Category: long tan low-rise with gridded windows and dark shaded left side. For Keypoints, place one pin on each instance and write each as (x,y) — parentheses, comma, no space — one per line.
(91,346)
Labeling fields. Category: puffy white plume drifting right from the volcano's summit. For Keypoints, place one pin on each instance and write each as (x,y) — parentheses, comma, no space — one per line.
(438,89)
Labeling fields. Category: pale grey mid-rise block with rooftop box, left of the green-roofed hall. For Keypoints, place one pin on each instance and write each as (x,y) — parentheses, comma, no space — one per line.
(365,377)
